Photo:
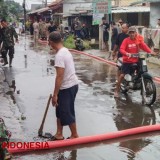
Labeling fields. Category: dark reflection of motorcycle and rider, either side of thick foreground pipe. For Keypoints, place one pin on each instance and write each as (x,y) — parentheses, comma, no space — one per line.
(130,115)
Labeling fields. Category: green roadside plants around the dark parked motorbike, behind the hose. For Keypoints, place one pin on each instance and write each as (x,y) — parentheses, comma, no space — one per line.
(70,43)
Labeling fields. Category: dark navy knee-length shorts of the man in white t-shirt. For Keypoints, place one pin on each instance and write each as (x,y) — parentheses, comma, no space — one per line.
(65,109)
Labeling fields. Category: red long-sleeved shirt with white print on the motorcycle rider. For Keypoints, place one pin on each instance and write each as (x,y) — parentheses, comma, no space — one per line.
(132,47)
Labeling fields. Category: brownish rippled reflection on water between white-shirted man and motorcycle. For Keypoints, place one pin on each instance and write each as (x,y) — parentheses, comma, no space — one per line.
(90,70)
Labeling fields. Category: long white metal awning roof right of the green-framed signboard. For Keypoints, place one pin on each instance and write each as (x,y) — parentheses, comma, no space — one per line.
(131,9)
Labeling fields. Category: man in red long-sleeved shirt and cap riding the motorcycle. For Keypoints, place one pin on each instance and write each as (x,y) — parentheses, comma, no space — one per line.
(130,46)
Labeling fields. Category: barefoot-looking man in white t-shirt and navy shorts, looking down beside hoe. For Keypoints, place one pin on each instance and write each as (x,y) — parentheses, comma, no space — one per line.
(66,87)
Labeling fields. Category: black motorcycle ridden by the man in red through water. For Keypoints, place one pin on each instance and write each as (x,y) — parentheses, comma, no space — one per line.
(140,79)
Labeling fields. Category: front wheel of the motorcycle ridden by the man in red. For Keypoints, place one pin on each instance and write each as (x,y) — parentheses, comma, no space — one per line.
(150,96)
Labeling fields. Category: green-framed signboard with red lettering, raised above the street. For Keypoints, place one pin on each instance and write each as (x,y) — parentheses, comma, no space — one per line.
(100,7)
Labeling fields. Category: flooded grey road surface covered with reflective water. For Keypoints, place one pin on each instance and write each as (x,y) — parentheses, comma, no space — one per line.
(97,111)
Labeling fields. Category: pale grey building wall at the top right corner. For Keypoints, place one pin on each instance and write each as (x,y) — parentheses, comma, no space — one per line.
(154,14)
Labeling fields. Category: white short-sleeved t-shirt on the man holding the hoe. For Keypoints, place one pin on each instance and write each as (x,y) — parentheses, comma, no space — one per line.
(64,59)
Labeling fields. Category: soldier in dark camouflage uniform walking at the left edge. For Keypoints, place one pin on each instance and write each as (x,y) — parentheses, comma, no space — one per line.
(8,35)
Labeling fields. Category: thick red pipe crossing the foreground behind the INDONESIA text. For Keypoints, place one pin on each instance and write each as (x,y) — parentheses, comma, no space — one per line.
(88,139)
